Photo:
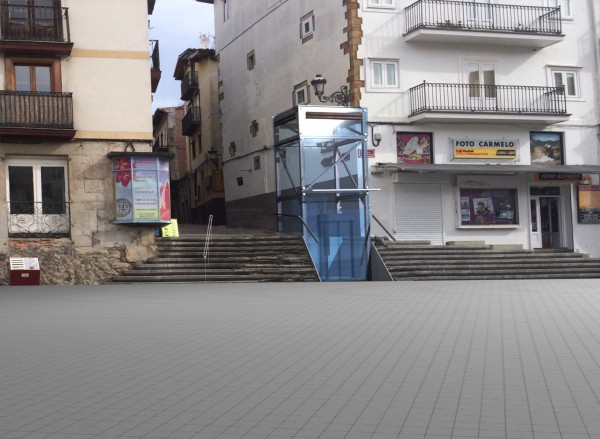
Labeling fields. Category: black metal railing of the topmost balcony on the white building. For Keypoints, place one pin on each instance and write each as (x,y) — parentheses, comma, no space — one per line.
(443,14)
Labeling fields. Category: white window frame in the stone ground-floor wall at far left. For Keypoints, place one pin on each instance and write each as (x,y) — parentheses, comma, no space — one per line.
(36,164)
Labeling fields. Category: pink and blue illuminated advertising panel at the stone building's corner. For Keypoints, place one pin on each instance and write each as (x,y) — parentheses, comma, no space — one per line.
(142,189)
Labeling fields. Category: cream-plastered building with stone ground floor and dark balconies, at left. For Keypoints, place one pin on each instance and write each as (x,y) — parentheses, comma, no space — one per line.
(75,90)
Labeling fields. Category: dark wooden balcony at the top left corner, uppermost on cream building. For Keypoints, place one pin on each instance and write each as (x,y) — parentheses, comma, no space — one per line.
(34,29)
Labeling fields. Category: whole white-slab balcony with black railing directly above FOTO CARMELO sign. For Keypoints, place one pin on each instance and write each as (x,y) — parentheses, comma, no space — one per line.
(431,102)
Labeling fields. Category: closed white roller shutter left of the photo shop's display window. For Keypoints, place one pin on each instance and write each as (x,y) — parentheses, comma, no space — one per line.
(419,213)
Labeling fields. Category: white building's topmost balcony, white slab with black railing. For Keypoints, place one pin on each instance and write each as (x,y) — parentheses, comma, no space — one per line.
(456,22)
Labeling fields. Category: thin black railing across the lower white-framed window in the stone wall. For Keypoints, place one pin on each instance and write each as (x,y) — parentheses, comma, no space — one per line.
(28,218)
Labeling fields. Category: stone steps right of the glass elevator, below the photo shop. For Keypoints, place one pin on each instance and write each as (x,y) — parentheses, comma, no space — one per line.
(410,261)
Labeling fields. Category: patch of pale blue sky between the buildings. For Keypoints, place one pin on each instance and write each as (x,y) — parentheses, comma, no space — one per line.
(178,25)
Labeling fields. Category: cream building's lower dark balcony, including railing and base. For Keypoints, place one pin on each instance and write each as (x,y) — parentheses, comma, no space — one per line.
(36,115)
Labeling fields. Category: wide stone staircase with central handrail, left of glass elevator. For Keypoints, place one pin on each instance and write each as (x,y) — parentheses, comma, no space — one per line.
(235,257)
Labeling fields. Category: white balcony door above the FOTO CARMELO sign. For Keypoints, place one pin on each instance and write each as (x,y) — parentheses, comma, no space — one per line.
(481,89)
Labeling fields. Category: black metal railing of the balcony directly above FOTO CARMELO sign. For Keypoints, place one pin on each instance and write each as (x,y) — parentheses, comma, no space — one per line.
(507,99)
